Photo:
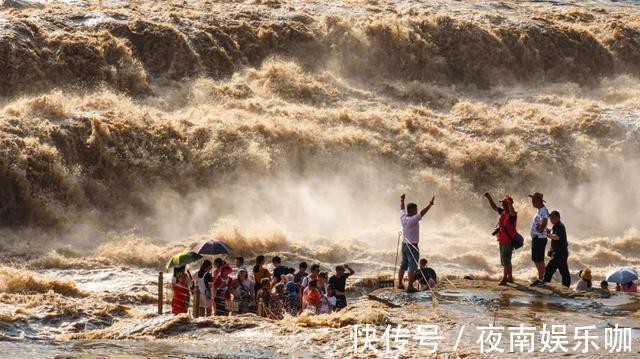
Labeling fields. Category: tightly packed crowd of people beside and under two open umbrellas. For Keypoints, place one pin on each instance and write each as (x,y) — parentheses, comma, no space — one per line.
(224,290)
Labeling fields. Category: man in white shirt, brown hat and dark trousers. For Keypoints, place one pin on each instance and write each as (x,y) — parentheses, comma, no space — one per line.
(539,235)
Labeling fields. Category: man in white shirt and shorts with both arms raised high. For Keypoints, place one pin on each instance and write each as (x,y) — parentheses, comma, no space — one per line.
(410,219)
